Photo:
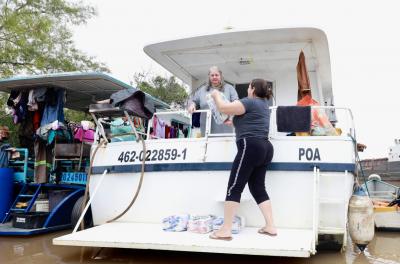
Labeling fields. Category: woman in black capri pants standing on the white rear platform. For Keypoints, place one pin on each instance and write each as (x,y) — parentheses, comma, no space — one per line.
(255,152)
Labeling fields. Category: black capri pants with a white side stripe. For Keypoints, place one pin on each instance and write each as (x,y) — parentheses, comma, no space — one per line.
(250,166)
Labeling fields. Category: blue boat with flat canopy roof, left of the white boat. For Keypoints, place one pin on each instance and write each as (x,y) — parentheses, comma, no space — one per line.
(32,208)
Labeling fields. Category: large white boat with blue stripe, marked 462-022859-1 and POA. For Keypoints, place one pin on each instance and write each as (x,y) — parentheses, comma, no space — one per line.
(309,181)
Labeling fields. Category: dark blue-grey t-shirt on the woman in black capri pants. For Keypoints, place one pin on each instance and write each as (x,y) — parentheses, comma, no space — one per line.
(255,121)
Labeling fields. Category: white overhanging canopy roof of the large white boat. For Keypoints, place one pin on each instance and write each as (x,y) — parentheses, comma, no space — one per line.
(244,55)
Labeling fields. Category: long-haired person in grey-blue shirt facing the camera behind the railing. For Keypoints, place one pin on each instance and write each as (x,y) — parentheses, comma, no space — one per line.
(199,99)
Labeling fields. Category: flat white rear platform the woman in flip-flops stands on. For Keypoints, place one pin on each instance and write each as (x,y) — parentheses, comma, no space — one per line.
(289,242)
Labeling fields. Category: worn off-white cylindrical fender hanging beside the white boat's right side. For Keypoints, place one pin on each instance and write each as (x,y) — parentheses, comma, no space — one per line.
(361,218)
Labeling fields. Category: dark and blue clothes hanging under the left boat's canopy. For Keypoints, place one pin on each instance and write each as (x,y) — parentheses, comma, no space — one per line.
(40,115)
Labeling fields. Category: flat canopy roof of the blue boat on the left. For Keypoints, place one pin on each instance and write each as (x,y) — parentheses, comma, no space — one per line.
(82,89)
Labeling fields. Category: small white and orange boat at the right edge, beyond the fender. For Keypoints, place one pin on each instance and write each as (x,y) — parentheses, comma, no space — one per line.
(386,201)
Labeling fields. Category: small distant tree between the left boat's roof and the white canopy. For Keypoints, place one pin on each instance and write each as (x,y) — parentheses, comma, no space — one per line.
(165,89)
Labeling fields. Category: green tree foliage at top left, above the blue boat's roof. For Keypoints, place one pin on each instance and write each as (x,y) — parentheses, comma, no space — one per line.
(35,37)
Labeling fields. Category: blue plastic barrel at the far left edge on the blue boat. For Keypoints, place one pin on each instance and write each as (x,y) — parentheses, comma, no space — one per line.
(6,191)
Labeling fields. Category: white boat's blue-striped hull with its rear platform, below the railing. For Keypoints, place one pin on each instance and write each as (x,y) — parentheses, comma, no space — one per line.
(309,197)
